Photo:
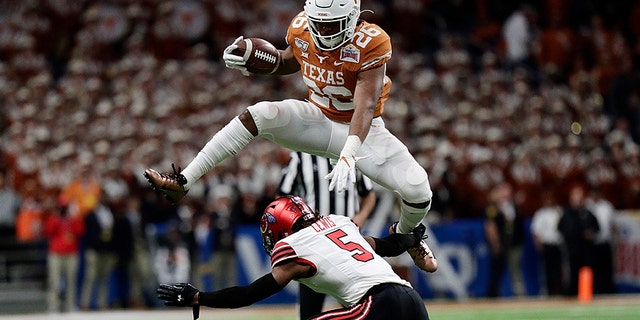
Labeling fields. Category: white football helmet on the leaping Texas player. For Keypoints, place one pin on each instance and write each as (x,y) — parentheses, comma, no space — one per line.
(339,15)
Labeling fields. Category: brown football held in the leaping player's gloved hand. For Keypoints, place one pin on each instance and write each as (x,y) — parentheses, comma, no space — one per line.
(261,56)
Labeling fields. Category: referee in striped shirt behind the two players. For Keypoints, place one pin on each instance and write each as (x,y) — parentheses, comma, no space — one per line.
(304,177)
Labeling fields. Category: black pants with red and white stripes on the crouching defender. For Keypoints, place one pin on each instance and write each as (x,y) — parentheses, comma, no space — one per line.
(383,302)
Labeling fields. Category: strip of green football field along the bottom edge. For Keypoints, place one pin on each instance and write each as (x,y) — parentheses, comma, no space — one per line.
(619,307)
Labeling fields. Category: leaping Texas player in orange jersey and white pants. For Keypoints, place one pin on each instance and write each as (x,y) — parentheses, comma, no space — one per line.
(342,60)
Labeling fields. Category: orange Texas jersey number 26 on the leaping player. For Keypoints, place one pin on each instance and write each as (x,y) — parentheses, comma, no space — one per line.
(331,76)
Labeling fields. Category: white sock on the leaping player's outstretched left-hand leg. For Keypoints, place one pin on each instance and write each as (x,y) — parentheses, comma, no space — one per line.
(224,144)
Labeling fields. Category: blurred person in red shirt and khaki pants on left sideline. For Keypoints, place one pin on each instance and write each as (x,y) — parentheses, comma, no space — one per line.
(64,229)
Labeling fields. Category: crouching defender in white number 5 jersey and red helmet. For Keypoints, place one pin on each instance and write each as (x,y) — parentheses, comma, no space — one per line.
(329,255)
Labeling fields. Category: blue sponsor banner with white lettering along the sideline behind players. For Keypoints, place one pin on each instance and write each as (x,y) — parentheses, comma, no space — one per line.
(464,263)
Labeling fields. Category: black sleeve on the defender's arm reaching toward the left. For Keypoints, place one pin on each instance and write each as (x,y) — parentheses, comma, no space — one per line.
(241,296)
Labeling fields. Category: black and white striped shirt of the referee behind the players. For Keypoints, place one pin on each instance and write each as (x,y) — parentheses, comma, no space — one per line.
(304,177)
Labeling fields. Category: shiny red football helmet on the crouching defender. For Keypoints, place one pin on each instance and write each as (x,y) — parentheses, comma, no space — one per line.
(283,217)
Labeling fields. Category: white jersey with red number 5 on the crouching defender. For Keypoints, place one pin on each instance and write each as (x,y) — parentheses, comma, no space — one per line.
(345,266)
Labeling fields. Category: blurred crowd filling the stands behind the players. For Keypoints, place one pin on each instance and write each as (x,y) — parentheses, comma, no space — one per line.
(540,95)
